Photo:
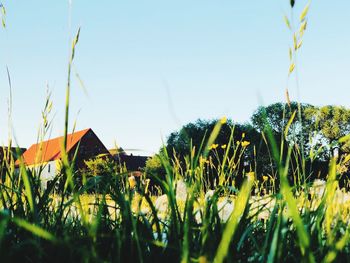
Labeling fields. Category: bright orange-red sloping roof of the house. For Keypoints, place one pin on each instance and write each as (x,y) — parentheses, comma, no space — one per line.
(50,150)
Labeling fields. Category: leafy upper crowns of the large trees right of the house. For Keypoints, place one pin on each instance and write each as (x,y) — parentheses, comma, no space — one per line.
(309,127)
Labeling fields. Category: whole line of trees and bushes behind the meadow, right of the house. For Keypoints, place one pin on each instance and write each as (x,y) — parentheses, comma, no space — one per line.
(315,135)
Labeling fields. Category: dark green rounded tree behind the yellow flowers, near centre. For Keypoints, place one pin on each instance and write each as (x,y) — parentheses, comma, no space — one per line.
(192,136)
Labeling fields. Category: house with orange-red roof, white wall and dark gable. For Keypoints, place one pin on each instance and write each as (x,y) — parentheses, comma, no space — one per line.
(47,155)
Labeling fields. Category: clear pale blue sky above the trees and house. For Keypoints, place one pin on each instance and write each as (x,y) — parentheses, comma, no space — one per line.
(151,66)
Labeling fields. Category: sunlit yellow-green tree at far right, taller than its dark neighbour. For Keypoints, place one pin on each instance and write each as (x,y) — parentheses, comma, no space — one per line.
(318,132)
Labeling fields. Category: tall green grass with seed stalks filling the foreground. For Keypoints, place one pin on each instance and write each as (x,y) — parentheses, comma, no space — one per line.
(303,222)
